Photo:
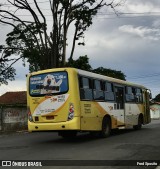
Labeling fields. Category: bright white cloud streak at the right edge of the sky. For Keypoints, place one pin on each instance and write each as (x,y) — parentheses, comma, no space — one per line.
(152,34)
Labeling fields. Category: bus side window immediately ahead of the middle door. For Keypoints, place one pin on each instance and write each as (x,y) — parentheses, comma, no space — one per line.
(130,94)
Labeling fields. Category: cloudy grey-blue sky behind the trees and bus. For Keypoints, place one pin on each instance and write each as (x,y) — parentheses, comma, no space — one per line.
(128,41)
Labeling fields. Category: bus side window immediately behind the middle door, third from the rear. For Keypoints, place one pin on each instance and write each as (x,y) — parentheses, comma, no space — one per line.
(109,93)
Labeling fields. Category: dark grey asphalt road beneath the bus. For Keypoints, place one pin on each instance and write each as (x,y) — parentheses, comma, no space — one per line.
(141,145)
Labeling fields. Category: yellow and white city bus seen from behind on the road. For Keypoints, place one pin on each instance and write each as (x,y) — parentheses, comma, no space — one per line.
(69,100)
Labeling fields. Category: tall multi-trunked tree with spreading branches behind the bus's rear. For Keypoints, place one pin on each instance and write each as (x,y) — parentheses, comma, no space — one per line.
(31,39)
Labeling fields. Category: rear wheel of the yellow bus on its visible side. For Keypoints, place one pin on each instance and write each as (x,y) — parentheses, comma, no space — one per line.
(106,128)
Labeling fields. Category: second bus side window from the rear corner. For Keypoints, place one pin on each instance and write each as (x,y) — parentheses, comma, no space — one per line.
(98,90)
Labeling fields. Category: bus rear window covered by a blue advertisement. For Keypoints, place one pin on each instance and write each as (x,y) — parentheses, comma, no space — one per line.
(49,83)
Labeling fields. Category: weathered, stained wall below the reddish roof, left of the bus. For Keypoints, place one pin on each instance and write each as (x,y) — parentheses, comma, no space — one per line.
(13,118)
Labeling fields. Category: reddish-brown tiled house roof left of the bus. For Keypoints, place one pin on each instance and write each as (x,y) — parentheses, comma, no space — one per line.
(19,97)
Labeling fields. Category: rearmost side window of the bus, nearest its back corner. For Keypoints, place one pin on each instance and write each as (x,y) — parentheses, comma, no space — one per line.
(85,85)
